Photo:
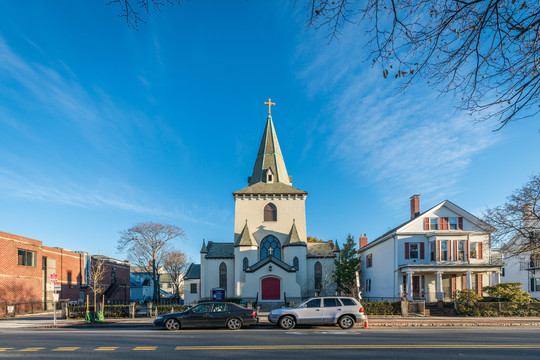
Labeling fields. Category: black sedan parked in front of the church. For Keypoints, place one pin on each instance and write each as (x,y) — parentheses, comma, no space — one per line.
(211,314)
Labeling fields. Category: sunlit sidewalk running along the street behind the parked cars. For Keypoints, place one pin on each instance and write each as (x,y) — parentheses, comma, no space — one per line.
(46,320)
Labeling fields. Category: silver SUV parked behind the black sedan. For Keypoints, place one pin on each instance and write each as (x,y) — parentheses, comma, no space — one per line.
(344,311)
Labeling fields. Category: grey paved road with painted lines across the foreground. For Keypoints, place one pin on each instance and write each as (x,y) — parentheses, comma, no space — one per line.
(307,343)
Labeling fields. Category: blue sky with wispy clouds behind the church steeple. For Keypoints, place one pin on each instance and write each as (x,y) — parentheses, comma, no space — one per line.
(102,126)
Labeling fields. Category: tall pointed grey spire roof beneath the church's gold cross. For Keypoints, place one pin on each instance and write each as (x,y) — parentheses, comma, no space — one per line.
(269,165)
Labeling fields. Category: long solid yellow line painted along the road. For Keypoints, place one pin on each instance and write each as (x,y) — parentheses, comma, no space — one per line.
(315,347)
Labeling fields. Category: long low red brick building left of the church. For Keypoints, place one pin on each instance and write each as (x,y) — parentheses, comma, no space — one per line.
(26,265)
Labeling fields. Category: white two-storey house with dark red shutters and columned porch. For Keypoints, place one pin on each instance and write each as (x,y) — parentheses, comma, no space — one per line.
(429,256)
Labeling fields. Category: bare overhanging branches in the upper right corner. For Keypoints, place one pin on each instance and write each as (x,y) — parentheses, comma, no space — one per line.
(485,52)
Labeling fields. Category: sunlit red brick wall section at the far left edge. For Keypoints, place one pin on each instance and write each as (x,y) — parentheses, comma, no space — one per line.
(18,282)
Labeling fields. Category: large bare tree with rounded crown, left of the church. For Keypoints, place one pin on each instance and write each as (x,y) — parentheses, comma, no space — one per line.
(145,244)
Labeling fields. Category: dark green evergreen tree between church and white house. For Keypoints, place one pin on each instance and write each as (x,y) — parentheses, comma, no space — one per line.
(347,265)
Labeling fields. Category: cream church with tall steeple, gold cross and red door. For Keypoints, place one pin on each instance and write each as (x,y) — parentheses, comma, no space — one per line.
(270,258)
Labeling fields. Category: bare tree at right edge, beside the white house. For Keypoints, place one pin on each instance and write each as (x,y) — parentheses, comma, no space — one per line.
(518,220)
